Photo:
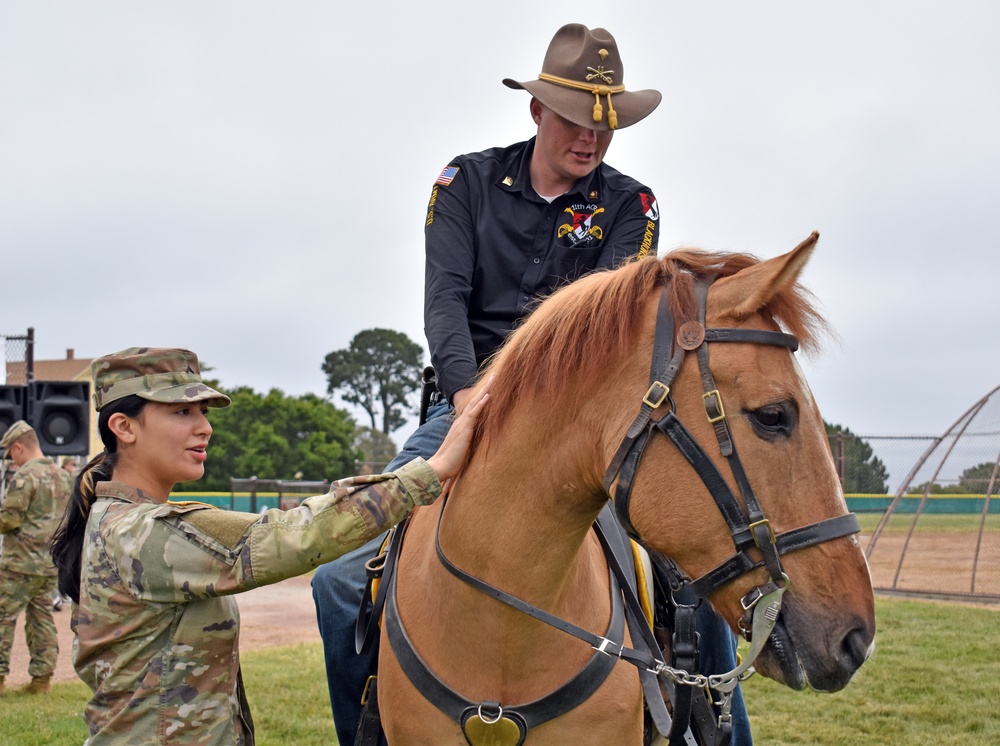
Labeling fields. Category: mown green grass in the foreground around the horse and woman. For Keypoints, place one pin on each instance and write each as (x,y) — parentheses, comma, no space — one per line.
(933,679)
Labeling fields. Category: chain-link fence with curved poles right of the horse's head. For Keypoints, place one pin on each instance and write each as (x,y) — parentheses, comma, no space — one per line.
(935,528)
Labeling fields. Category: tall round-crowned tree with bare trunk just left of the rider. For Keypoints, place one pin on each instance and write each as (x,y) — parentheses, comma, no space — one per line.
(379,370)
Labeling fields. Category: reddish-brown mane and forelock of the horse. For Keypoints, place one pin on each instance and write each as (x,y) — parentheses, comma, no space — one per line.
(596,318)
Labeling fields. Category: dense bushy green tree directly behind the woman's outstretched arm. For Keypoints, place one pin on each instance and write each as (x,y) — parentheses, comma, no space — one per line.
(273,436)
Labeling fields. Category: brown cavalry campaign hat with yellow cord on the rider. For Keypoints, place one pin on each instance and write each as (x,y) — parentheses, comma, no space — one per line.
(582,80)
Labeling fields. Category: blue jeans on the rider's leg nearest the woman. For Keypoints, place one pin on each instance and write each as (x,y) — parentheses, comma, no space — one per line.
(339,586)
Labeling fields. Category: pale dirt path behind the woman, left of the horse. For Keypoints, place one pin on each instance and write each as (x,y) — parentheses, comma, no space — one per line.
(280,614)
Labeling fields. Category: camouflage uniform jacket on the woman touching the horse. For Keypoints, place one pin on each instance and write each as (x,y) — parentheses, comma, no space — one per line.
(157,630)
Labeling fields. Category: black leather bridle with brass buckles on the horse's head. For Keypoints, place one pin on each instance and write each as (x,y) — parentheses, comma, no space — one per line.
(749,527)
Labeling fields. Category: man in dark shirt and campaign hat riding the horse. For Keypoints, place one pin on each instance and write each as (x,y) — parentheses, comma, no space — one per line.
(505,227)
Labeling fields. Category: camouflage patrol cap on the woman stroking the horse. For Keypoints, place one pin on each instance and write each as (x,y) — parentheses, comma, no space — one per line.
(160,374)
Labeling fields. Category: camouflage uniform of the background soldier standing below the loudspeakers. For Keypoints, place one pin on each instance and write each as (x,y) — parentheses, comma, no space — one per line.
(31,511)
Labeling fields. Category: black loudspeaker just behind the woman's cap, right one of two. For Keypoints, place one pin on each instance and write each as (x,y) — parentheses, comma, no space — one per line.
(60,414)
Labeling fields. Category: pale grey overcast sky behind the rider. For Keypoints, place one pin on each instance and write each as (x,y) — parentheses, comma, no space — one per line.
(248,179)
